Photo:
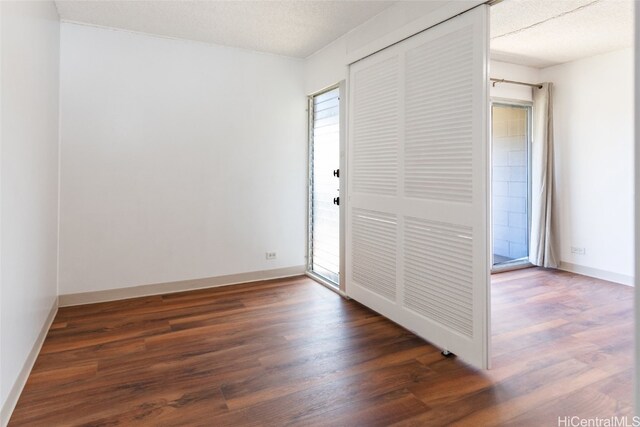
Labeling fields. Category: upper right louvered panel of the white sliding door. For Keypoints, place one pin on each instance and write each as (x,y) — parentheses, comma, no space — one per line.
(439,131)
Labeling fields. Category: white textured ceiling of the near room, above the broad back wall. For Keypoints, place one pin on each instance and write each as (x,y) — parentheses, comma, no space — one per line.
(290,28)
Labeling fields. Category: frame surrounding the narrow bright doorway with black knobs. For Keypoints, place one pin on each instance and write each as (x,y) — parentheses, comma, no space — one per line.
(342,183)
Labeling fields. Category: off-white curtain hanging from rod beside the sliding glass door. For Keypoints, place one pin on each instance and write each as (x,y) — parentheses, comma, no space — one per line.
(542,246)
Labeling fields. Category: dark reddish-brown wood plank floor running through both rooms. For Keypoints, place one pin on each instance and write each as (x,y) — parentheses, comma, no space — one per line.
(290,352)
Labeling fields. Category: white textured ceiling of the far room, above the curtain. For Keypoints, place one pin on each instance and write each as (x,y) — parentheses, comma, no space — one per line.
(541,33)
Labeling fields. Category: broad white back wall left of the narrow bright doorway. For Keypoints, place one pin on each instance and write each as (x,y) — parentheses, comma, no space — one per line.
(179,160)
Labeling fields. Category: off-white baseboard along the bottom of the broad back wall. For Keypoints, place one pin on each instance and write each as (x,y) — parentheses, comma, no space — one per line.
(180,286)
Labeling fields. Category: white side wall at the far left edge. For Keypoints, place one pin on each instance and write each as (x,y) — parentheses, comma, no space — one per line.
(29,181)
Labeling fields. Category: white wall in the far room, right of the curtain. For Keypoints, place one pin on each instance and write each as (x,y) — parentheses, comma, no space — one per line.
(593,120)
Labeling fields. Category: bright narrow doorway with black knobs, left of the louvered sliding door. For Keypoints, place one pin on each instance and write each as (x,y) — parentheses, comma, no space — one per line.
(324,186)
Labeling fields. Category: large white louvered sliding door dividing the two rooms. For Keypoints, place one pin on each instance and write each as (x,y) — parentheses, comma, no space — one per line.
(417,216)
